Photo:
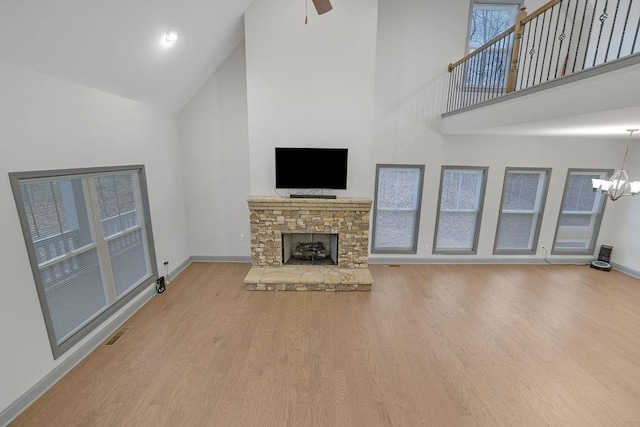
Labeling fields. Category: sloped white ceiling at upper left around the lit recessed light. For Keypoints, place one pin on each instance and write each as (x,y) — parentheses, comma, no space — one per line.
(117,45)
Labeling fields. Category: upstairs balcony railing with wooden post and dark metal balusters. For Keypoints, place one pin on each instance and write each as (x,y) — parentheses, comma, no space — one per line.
(561,38)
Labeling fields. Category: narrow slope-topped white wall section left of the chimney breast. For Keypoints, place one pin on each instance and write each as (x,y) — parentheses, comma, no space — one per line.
(215,162)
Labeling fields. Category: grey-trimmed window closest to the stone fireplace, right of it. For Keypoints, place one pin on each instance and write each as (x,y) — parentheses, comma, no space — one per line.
(396,213)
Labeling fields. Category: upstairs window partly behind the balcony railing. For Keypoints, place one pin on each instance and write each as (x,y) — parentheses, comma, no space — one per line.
(486,21)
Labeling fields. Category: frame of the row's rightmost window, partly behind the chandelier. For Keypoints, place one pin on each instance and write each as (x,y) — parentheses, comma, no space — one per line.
(596,216)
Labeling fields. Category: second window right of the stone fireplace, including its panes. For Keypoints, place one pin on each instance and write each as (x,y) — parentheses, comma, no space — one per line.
(460,209)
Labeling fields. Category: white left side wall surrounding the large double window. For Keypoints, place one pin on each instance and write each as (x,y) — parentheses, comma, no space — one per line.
(46,124)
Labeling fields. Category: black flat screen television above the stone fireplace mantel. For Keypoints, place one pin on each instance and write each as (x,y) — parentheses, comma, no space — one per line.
(311,168)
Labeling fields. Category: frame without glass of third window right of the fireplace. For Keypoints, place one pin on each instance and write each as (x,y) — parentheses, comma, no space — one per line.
(544,175)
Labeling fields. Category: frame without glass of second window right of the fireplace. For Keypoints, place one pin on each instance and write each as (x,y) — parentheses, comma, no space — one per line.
(479,204)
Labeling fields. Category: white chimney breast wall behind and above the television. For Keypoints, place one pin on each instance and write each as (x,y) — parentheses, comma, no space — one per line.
(310,85)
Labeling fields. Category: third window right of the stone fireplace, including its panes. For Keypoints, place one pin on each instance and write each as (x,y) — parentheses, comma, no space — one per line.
(523,196)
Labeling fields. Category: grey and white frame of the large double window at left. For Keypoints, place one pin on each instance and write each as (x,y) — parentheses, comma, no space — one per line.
(100,244)
